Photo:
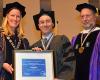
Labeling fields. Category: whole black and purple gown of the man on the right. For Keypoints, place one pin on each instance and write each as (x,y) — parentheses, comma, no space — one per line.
(87,63)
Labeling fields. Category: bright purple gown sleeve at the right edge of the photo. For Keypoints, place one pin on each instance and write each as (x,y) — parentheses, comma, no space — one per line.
(95,61)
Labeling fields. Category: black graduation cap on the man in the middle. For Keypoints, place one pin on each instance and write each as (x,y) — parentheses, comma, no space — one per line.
(42,12)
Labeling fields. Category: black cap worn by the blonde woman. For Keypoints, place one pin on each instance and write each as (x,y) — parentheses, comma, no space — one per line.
(16,5)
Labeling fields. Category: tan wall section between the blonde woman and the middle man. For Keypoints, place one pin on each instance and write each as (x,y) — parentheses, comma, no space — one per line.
(32,7)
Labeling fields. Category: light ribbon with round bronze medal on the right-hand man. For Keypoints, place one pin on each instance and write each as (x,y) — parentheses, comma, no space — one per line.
(81,49)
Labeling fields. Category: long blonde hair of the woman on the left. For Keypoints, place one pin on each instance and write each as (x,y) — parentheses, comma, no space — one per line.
(7,30)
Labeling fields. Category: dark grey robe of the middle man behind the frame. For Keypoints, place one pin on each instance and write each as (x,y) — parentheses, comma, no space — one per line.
(62,51)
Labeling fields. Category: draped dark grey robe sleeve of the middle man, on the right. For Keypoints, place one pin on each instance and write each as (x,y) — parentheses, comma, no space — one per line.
(69,61)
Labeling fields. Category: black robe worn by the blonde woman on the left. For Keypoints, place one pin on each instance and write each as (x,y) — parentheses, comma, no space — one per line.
(8,57)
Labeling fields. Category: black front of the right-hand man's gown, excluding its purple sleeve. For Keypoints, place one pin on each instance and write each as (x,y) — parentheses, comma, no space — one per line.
(83,60)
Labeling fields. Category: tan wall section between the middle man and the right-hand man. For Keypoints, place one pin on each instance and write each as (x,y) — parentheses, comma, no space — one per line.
(68,18)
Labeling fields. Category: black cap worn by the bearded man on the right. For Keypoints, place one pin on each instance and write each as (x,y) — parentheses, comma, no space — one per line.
(86,5)
